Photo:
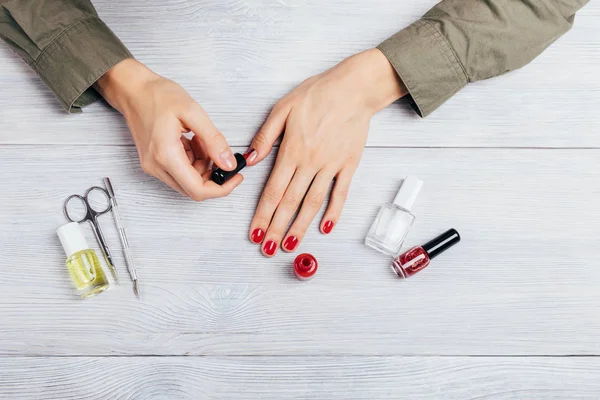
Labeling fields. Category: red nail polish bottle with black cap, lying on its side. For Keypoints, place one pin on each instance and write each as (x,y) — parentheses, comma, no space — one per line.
(414,260)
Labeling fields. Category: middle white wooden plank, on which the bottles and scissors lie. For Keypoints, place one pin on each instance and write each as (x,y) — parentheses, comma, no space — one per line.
(522,282)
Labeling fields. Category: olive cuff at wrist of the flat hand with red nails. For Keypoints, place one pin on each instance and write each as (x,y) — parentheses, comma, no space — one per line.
(427,65)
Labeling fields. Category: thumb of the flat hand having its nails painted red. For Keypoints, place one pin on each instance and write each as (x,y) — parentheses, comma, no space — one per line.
(268,134)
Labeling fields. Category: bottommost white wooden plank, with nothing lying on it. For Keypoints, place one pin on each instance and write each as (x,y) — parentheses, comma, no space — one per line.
(347,378)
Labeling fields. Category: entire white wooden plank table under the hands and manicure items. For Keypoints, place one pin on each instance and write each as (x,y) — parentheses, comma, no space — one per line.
(512,312)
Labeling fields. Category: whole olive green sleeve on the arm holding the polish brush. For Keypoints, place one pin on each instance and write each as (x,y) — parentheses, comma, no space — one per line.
(65,42)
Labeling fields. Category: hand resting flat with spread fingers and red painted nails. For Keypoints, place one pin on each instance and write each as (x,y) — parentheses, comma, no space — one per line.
(326,123)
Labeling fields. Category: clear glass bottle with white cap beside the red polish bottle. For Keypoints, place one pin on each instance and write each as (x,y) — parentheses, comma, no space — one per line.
(394,220)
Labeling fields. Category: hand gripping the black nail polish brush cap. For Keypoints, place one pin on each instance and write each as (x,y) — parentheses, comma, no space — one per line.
(158,111)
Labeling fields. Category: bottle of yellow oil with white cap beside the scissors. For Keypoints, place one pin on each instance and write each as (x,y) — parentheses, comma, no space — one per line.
(82,262)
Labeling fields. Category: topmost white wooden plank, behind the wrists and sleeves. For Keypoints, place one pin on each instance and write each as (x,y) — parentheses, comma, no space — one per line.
(237,57)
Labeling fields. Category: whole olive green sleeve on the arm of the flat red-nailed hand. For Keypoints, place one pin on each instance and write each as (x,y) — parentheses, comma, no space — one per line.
(462,41)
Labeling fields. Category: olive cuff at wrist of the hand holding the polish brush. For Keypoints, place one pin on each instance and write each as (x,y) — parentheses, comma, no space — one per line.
(76,59)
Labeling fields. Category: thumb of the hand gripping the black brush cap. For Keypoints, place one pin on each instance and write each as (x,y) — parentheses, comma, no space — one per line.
(215,143)
